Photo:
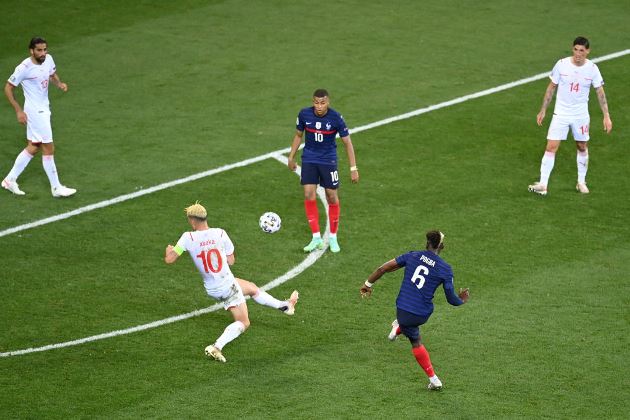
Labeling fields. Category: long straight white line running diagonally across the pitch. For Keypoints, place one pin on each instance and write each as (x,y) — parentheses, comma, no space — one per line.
(280,152)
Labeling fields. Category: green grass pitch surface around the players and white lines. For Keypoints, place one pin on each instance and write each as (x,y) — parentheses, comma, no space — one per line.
(161,90)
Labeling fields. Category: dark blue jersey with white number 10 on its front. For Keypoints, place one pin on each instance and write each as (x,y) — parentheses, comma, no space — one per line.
(320,146)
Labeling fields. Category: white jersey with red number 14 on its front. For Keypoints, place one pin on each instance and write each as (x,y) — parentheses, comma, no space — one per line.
(574,83)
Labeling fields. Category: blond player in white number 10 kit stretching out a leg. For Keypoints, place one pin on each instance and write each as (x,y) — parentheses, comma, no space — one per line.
(212,251)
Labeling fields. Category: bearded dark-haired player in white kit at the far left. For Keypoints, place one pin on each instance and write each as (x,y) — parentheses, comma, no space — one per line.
(34,74)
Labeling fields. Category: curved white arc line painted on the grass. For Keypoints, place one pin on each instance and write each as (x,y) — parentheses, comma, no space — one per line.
(295,271)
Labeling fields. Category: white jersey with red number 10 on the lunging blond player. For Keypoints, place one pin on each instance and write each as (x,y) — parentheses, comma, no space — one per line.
(209,250)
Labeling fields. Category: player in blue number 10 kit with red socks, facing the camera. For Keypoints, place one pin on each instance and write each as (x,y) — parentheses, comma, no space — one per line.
(319,163)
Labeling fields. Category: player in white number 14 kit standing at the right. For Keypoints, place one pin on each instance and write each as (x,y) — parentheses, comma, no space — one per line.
(573,77)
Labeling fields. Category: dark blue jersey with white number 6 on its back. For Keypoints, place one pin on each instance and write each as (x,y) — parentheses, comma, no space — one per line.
(424,272)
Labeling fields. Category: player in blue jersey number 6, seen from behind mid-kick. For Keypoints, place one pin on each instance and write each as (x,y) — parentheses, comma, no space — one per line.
(424,272)
